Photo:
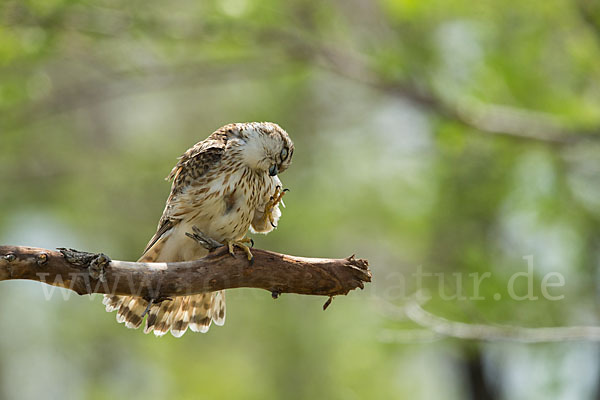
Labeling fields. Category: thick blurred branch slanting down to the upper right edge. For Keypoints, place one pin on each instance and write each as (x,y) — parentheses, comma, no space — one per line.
(492,119)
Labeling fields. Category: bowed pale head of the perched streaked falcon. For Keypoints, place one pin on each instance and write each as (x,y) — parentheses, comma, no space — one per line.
(265,146)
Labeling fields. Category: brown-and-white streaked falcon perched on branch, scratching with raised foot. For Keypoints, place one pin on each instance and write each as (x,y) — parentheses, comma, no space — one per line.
(223,186)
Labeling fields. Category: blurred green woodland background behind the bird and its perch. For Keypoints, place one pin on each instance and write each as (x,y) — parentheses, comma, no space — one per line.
(453,136)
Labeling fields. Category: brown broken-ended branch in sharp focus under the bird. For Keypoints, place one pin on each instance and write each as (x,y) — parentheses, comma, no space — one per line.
(87,273)
